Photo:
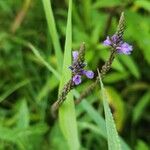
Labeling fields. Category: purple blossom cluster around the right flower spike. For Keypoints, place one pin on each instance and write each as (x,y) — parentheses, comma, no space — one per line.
(120,46)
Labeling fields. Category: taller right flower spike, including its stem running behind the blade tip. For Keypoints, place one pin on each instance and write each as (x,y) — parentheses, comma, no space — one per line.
(118,46)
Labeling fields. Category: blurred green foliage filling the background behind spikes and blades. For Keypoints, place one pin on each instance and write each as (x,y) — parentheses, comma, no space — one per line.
(28,83)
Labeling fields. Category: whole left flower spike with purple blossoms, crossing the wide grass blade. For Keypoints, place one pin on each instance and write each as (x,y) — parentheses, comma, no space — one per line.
(77,69)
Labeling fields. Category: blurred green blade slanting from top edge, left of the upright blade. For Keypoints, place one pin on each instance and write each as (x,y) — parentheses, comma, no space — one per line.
(53,31)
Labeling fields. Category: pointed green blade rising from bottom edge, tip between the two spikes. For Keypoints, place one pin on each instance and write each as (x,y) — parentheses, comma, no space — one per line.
(112,135)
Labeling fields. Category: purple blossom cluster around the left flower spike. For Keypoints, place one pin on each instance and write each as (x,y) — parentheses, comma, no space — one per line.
(77,69)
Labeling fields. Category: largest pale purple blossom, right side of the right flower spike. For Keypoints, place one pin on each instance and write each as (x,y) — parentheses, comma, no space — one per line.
(124,48)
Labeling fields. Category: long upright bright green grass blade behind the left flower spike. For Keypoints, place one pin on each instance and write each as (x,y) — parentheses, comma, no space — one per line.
(67,116)
